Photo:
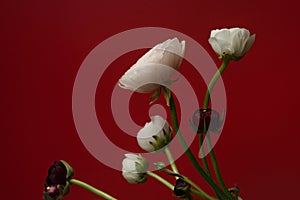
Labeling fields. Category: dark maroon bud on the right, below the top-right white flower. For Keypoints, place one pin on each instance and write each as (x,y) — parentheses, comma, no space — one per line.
(207,119)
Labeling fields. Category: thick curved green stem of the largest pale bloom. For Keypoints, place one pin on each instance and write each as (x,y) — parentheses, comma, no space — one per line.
(189,153)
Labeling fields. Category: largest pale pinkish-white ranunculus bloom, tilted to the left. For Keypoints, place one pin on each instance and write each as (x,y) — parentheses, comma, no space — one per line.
(150,68)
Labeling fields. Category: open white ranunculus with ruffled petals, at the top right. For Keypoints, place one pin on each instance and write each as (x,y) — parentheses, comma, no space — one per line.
(234,42)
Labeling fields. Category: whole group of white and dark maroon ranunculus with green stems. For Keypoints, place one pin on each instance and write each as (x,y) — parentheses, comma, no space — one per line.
(155,136)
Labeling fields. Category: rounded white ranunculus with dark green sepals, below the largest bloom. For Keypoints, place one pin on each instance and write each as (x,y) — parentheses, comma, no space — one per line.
(155,134)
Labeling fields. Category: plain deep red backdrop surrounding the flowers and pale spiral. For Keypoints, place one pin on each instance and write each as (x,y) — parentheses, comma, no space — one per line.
(43,44)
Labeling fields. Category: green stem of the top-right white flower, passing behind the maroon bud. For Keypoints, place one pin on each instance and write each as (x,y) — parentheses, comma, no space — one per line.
(212,83)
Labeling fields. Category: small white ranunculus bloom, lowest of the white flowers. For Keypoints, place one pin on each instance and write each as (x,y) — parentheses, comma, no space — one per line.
(134,168)
